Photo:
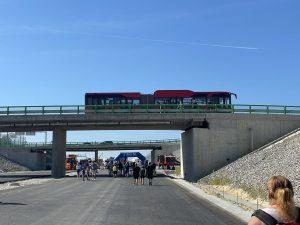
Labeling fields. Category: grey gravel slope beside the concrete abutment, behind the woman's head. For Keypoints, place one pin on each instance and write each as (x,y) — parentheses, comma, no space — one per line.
(252,171)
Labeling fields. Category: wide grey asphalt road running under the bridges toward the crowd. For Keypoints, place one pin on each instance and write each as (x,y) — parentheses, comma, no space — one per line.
(108,201)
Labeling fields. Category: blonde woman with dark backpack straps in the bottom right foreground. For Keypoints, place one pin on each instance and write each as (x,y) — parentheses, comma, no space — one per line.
(281,207)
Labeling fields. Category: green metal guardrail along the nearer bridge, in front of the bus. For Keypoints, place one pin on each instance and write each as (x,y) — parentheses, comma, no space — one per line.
(154,108)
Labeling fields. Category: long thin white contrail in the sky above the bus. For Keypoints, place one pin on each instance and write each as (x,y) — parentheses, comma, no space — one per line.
(184,42)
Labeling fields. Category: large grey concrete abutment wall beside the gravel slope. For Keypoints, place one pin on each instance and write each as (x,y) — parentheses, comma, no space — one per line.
(227,139)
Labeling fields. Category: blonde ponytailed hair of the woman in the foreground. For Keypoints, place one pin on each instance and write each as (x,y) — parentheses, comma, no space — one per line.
(281,194)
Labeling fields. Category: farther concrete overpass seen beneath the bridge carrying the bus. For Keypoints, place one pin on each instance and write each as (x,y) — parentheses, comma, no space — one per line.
(37,155)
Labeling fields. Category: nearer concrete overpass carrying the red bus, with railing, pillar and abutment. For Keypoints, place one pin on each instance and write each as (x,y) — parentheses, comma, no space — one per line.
(212,136)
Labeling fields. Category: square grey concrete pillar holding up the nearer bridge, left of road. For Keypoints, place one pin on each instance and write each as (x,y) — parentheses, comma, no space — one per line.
(59,153)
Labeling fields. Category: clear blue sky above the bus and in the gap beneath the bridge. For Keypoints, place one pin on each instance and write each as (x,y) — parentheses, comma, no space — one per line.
(52,52)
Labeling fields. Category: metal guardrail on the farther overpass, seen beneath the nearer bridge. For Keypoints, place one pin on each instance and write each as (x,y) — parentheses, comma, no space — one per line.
(104,143)
